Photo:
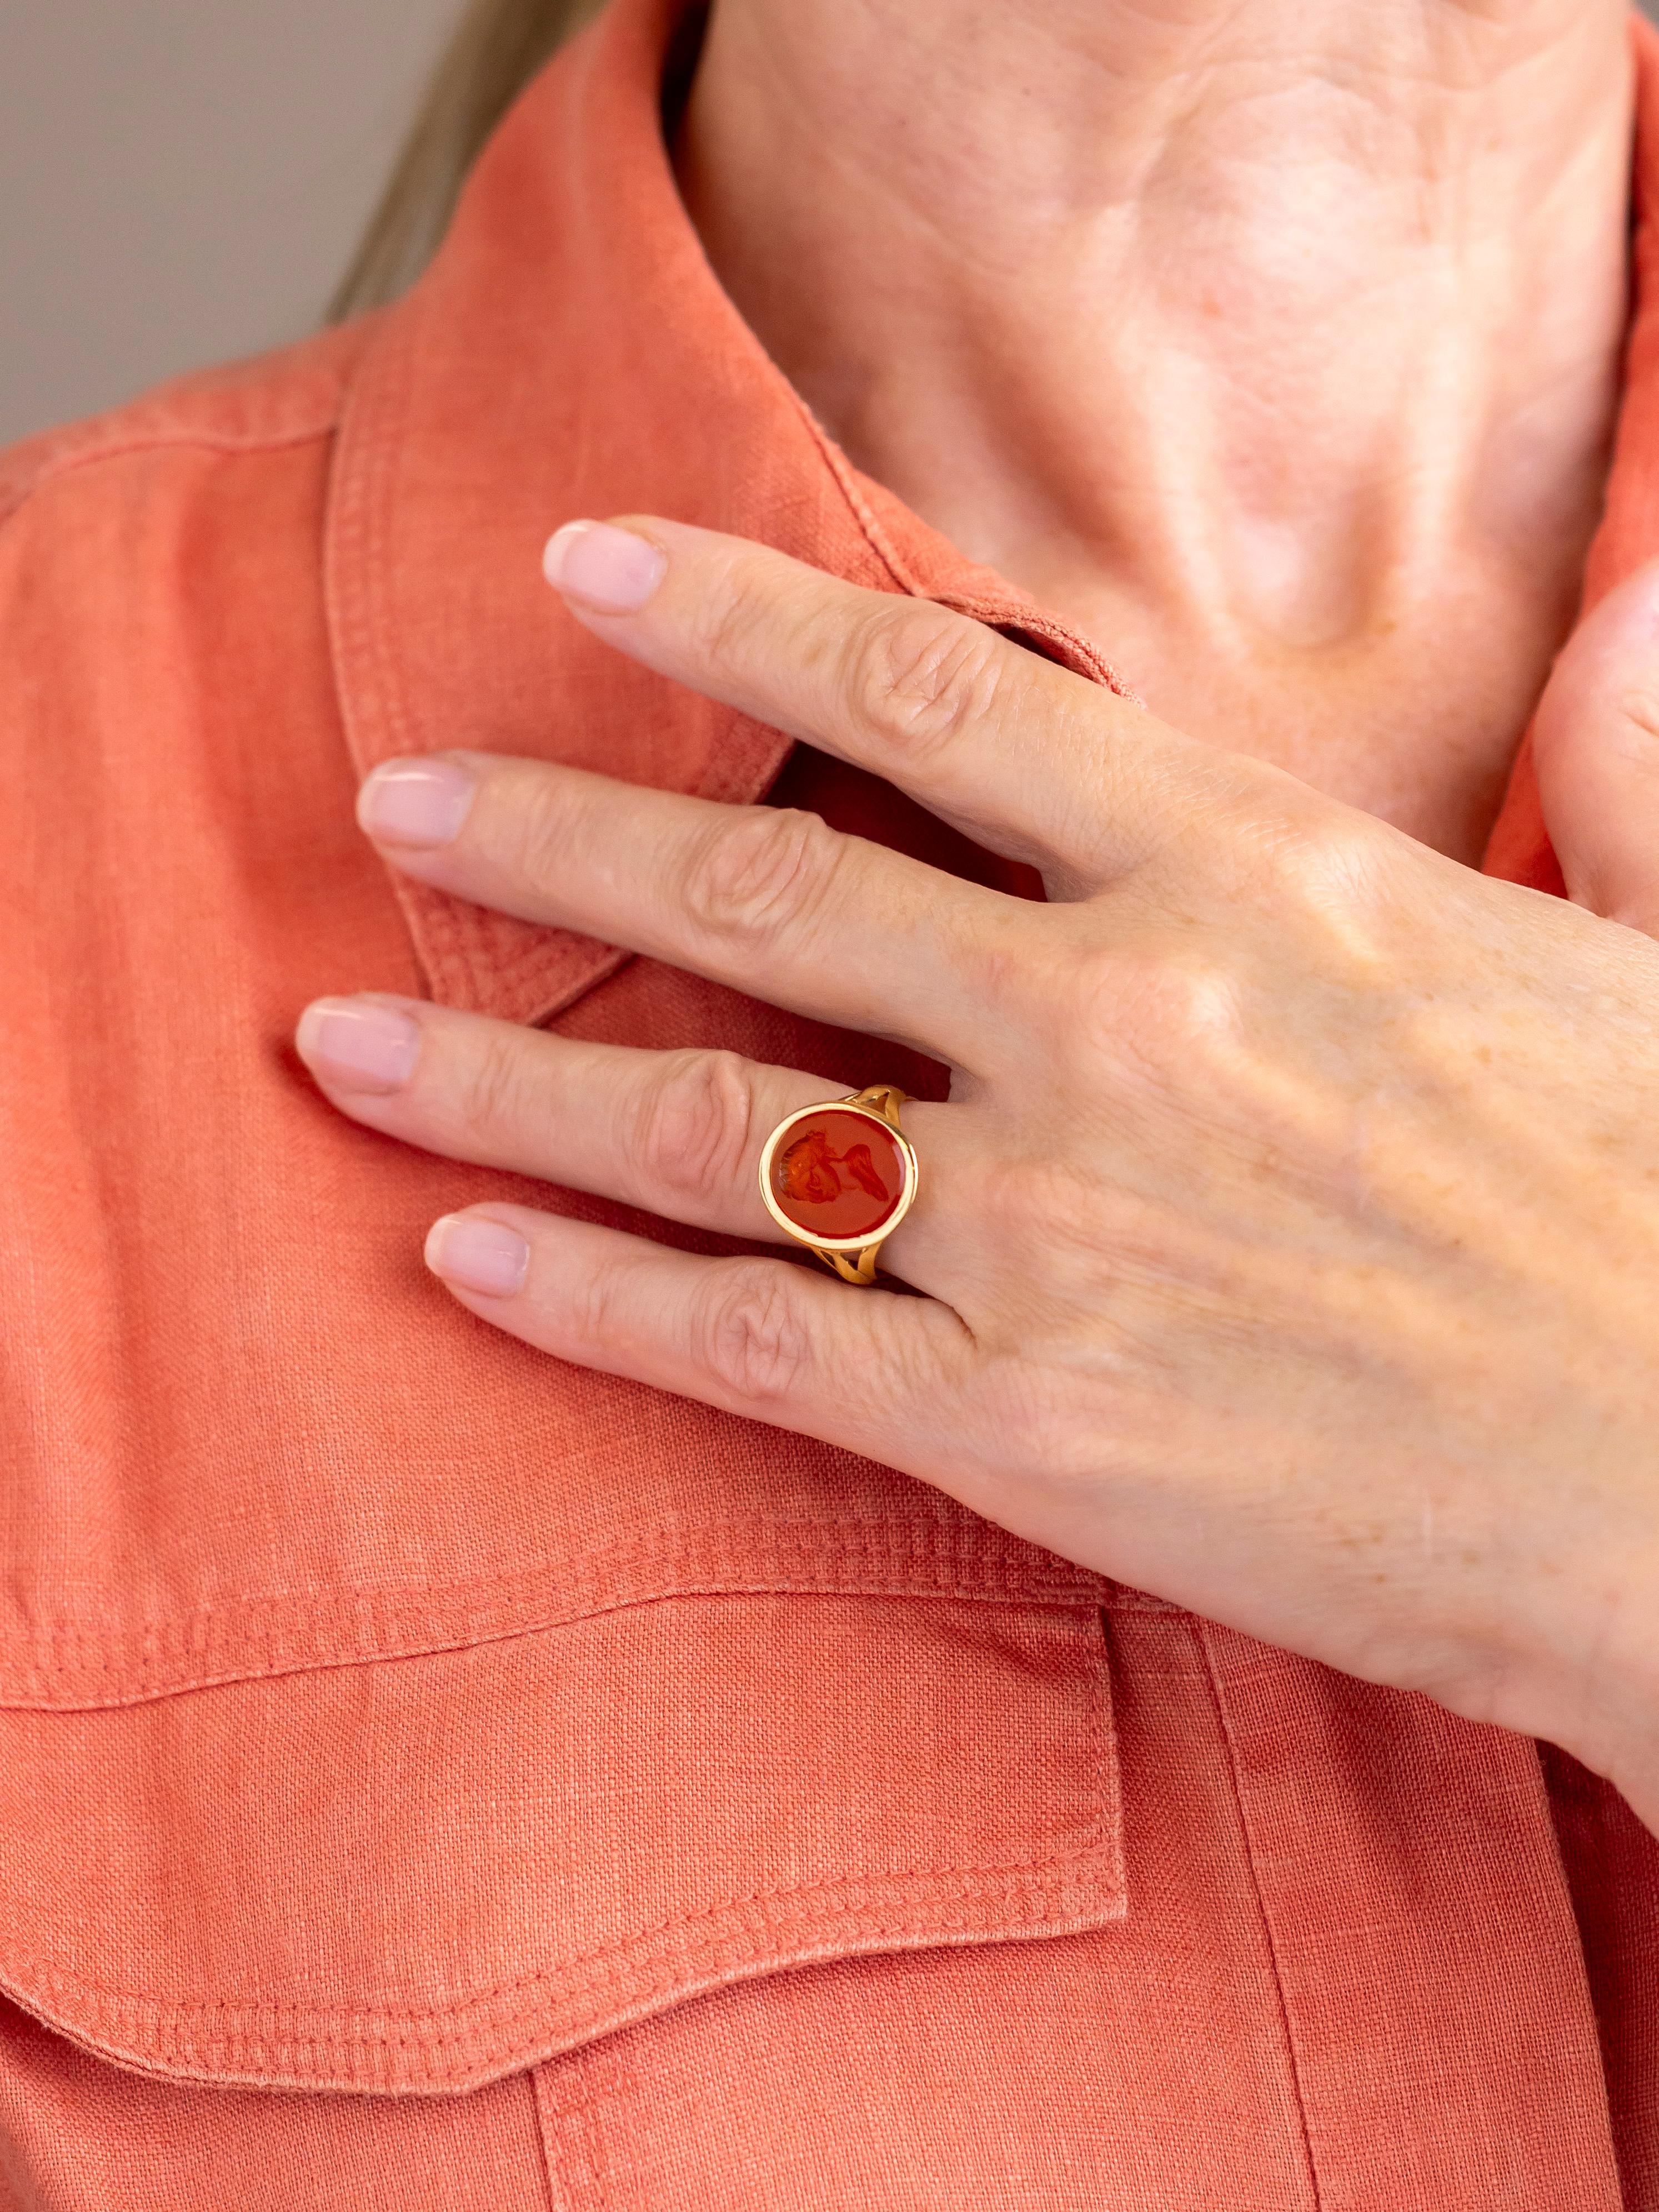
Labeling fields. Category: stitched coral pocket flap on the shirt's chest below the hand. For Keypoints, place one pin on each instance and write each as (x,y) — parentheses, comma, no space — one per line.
(419,1875)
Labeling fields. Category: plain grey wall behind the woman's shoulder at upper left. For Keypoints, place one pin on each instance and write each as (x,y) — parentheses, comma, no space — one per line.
(182,180)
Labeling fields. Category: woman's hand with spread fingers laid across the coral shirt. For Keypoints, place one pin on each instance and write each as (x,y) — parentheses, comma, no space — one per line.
(1291,1240)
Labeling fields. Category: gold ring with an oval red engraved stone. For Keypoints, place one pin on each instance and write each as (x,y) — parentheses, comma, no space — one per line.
(839,1178)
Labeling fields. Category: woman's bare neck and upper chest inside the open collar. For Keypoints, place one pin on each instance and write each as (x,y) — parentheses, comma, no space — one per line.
(1269,342)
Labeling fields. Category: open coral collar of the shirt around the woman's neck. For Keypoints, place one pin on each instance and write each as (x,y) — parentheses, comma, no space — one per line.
(572,353)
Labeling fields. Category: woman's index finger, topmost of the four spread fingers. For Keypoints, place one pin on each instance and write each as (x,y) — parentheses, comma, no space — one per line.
(1023,755)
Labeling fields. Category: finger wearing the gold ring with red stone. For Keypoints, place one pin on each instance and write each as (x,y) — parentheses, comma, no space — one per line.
(671,1134)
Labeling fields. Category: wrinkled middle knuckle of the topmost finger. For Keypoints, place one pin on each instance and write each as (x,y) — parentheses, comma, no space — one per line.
(921,676)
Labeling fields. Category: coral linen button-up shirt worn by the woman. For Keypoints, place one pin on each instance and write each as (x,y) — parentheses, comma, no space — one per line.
(435,1777)
